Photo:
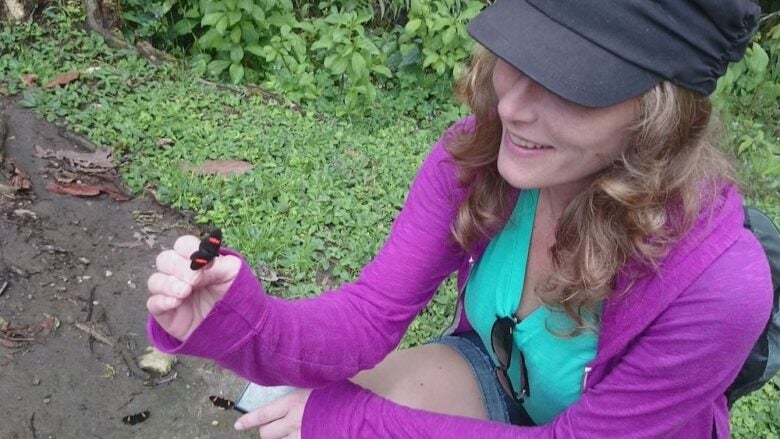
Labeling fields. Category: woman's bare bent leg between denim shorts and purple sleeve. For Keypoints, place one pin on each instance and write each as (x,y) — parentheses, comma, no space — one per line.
(431,377)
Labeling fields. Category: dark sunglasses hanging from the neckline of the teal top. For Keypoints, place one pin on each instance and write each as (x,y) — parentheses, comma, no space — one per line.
(502,341)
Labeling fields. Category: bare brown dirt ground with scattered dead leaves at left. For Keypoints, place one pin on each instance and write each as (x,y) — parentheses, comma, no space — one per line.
(70,265)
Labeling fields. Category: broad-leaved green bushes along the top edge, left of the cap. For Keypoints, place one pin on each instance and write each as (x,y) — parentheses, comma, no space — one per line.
(332,50)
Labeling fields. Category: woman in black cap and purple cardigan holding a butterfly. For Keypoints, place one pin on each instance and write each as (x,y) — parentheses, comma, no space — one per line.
(608,288)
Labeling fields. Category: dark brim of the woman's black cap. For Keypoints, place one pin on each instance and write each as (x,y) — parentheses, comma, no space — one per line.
(559,59)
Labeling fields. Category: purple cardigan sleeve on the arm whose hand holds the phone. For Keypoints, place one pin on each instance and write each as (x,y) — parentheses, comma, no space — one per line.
(675,370)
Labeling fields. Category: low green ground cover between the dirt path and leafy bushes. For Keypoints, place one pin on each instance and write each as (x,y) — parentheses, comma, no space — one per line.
(320,200)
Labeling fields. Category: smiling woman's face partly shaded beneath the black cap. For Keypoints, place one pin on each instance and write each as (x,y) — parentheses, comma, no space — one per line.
(549,142)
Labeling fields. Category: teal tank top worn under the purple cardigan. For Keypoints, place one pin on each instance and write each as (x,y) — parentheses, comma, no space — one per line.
(555,364)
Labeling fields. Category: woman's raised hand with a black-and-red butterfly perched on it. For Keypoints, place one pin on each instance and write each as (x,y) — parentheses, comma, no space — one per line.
(180,297)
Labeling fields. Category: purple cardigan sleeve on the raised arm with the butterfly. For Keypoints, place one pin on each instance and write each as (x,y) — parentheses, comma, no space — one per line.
(315,341)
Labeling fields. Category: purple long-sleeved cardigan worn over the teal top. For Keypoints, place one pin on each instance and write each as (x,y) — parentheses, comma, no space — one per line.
(666,351)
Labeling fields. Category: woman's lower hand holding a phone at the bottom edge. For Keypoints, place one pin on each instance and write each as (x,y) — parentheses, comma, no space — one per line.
(279,419)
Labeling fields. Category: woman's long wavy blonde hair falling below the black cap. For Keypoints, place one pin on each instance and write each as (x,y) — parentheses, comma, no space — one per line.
(633,210)
